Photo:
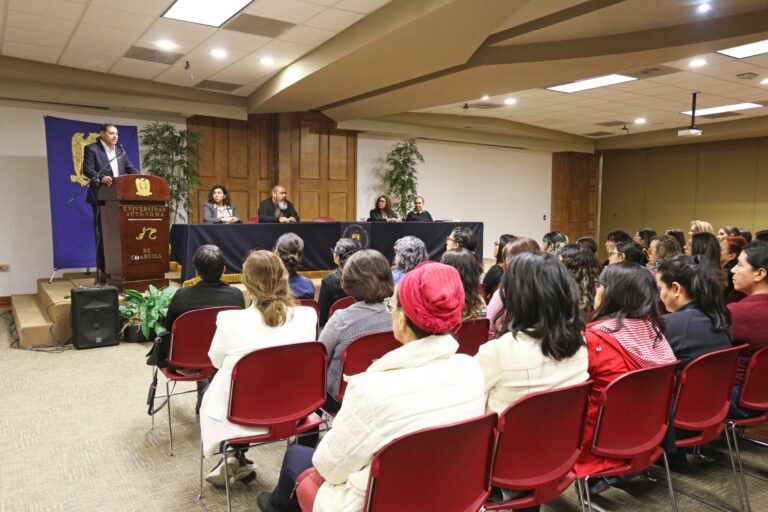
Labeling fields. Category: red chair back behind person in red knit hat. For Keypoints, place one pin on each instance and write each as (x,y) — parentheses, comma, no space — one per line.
(441,468)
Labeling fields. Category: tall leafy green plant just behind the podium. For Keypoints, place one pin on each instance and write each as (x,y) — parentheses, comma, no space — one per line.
(171,154)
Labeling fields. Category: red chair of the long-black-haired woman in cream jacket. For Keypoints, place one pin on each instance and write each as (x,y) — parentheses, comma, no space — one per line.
(538,444)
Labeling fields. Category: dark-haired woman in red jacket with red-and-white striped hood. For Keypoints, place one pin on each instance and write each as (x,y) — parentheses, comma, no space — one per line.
(627,334)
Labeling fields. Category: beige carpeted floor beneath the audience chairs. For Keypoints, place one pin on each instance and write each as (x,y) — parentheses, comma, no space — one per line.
(76,436)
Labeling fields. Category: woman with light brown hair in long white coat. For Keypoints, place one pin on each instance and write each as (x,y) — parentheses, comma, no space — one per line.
(272,319)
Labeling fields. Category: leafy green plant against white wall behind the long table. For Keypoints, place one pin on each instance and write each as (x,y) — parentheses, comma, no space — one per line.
(401,176)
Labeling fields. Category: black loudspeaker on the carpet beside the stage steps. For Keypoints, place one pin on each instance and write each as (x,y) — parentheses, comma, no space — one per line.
(95,317)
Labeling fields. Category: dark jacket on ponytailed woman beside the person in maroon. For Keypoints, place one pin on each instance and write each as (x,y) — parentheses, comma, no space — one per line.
(690,334)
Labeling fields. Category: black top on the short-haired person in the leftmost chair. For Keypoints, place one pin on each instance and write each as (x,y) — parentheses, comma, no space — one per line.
(204,294)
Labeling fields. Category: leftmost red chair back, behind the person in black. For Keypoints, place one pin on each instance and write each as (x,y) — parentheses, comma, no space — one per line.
(191,336)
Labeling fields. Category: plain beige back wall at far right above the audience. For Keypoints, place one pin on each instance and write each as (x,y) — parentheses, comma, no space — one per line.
(661,188)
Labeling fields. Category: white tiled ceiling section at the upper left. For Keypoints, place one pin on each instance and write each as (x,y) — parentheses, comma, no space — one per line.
(96,34)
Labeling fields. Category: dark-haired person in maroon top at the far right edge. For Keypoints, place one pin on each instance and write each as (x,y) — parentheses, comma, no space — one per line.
(748,316)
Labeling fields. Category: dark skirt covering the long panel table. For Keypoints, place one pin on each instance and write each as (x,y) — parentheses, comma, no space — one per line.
(237,240)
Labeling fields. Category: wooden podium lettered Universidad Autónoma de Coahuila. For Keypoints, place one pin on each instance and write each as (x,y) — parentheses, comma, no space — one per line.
(134,225)
